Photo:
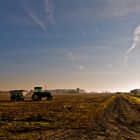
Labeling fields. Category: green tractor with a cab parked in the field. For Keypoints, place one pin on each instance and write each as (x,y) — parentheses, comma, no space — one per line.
(38,94)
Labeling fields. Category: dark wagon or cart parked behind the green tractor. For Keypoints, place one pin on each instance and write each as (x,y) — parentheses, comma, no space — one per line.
(16,95)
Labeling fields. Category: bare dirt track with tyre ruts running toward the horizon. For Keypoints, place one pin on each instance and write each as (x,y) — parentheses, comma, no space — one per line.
(121,120)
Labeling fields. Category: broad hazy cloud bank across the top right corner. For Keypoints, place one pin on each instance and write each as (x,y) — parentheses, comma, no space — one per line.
(91,9)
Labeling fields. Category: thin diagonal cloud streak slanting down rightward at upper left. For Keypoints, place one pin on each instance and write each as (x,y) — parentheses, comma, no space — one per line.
(31,13)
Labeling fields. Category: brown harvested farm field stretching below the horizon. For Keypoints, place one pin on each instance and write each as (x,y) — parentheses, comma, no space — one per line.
(72,117)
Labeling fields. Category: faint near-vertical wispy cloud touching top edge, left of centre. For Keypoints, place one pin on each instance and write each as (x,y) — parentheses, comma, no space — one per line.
(49,9)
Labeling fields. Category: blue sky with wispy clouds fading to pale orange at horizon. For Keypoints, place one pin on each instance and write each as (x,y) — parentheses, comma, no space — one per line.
(88,44)
